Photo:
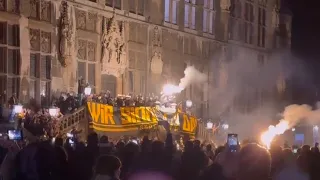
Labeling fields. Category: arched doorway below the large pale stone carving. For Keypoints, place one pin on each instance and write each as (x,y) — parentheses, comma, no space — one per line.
(109,82)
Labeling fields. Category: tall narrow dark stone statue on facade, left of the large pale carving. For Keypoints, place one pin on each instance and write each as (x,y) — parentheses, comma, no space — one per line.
(66,32)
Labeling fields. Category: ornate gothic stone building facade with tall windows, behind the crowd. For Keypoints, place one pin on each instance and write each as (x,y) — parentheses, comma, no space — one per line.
(129,45)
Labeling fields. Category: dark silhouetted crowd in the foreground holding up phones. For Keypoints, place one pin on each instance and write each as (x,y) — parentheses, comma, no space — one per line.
(100,159)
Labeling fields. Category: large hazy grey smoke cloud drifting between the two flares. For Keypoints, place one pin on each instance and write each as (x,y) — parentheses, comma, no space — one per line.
(246,75)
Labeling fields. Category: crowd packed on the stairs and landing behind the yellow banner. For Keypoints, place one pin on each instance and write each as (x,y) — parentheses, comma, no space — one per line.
(38,121)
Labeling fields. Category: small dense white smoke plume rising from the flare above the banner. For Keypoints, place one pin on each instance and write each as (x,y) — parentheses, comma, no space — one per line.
(192,76)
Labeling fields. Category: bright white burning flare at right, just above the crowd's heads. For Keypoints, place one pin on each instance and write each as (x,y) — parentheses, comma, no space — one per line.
(268,136)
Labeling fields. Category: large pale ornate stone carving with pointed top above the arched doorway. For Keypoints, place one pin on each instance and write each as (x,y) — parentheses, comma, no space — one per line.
(114,54)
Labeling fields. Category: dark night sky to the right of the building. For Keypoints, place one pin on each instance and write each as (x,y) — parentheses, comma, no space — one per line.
(306,46)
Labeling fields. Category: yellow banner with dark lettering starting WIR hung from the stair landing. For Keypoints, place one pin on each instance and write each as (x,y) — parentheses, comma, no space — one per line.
(114,119)
